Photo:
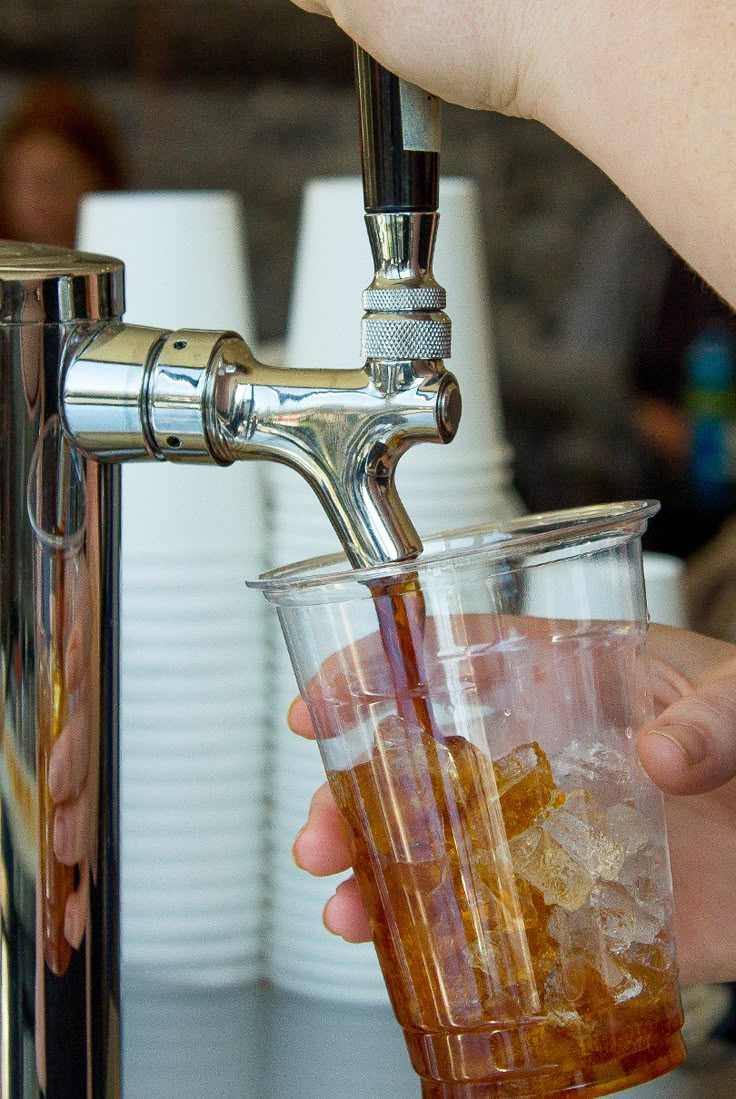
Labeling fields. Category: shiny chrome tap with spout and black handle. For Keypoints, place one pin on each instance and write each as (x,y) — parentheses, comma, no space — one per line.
(130,393)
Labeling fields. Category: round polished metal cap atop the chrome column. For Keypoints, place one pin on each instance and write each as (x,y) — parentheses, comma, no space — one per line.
(44,285)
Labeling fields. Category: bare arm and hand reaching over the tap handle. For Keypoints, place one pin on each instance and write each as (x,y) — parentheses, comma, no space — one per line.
(645,91)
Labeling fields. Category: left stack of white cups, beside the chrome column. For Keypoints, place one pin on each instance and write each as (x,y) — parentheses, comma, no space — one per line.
(194,689)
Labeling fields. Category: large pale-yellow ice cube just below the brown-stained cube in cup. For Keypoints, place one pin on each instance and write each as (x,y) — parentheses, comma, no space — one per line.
(547,865)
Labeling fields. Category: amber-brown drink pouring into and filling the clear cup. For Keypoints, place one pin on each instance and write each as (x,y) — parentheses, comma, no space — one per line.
(492,1004)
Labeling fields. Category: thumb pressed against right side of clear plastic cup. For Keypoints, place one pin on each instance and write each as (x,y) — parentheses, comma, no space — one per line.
(692,747)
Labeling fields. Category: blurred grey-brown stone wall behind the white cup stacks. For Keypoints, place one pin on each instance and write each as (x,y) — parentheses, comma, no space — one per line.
(257,97)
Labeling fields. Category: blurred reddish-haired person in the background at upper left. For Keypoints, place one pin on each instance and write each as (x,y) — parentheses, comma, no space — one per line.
(55,147)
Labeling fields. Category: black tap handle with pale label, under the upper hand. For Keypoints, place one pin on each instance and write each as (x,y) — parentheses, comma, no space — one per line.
(399,140)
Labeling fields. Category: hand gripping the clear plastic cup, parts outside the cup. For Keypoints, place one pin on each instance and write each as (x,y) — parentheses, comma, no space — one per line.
(689,751)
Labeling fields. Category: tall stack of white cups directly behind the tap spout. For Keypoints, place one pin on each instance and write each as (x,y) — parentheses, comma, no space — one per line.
(443,487)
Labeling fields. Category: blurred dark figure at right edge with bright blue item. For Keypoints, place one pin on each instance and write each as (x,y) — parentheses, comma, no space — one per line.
(684,405)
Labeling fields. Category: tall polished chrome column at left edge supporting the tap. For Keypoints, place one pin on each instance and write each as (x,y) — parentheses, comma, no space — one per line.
(60,973)
